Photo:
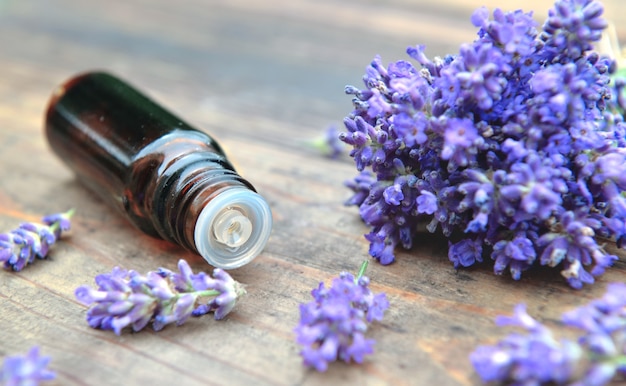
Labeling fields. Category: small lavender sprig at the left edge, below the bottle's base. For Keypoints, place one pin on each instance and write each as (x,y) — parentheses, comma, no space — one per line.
(20,246)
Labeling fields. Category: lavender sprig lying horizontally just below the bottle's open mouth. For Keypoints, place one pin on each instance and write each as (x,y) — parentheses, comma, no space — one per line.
(127,298)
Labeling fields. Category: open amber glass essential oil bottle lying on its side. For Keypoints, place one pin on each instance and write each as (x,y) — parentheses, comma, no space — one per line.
(169,179)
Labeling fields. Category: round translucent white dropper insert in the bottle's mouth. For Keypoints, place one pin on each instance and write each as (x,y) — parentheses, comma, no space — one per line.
(233,228)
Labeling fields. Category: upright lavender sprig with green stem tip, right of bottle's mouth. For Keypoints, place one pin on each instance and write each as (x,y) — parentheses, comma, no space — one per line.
(332,326)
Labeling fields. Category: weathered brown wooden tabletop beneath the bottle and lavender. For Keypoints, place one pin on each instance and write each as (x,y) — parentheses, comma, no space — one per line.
(263,77)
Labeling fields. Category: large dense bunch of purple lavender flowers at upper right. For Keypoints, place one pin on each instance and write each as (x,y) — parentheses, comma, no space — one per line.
(514,147)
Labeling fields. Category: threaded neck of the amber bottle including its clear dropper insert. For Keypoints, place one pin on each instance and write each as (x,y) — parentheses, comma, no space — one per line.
(211,210)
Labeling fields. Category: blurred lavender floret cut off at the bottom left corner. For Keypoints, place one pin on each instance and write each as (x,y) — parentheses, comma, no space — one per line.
(26,370)
